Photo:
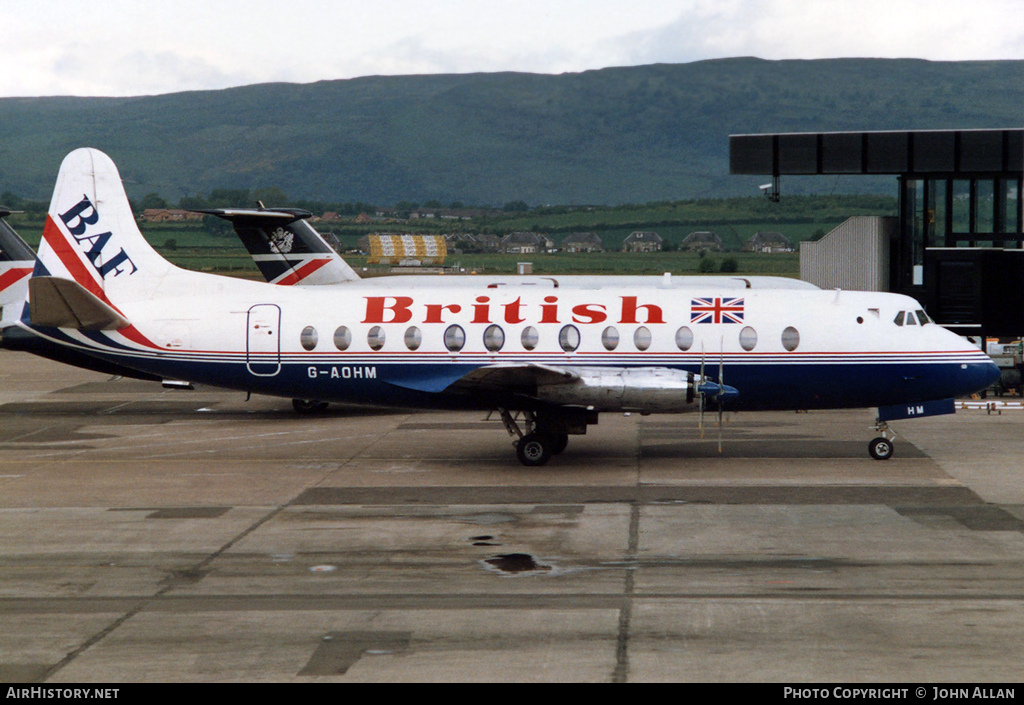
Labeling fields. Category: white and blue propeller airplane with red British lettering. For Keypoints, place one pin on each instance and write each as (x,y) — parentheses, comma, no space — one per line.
(550,355)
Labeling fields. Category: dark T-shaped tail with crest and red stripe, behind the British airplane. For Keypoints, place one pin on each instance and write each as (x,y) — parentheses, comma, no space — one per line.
(286,248)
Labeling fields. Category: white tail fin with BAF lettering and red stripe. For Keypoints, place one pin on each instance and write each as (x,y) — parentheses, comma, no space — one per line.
(91,236)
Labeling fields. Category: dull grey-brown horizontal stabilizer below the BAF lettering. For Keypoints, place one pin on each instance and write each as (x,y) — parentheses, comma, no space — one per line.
(64,304)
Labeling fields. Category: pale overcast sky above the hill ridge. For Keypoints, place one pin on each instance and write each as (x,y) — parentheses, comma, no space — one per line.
(138,48)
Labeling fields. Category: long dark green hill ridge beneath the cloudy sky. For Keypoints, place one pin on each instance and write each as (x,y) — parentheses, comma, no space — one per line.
(616,136)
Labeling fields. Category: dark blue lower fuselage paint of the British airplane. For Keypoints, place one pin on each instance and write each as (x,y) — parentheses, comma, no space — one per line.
(762,387)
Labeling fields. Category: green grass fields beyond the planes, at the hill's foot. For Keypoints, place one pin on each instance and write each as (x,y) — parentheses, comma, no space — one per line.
(196,246)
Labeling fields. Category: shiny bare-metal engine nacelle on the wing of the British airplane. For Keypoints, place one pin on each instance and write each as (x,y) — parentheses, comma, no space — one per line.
(645,390)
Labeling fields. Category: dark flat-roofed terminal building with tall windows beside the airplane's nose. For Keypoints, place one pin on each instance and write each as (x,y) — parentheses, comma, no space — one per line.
(958,242)
